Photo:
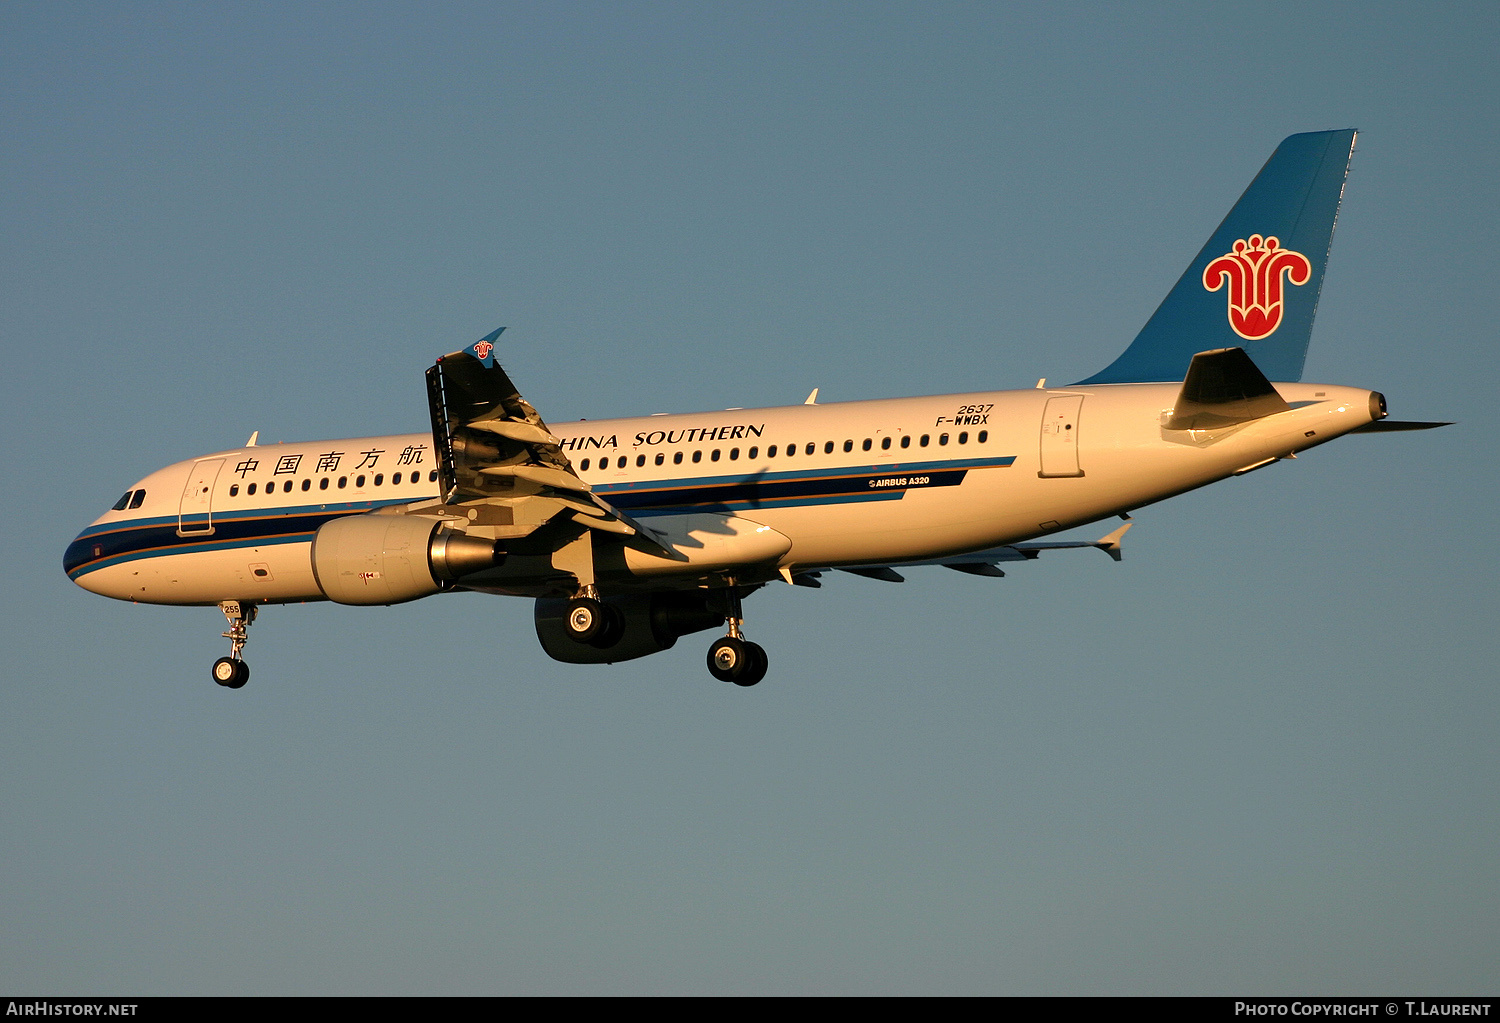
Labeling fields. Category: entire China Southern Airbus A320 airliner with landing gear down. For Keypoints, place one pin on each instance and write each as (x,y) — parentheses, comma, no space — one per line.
(632,533)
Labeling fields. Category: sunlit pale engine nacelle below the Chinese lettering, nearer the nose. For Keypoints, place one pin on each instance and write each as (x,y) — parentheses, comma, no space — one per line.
(392,559)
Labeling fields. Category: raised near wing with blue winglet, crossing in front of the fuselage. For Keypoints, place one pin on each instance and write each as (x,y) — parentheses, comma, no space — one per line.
(497,460)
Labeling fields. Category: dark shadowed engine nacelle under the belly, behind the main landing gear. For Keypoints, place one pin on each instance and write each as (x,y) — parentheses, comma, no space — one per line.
(653,623)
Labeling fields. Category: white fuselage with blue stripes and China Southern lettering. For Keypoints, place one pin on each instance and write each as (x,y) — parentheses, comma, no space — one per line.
(850,484)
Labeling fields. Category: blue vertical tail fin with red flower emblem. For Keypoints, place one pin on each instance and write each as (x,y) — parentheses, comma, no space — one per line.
(1256,284)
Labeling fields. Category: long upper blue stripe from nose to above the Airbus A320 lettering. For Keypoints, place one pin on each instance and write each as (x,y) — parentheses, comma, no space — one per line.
(115,544)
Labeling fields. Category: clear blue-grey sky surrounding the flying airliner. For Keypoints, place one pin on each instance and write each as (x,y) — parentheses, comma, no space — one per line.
(1258,757)
